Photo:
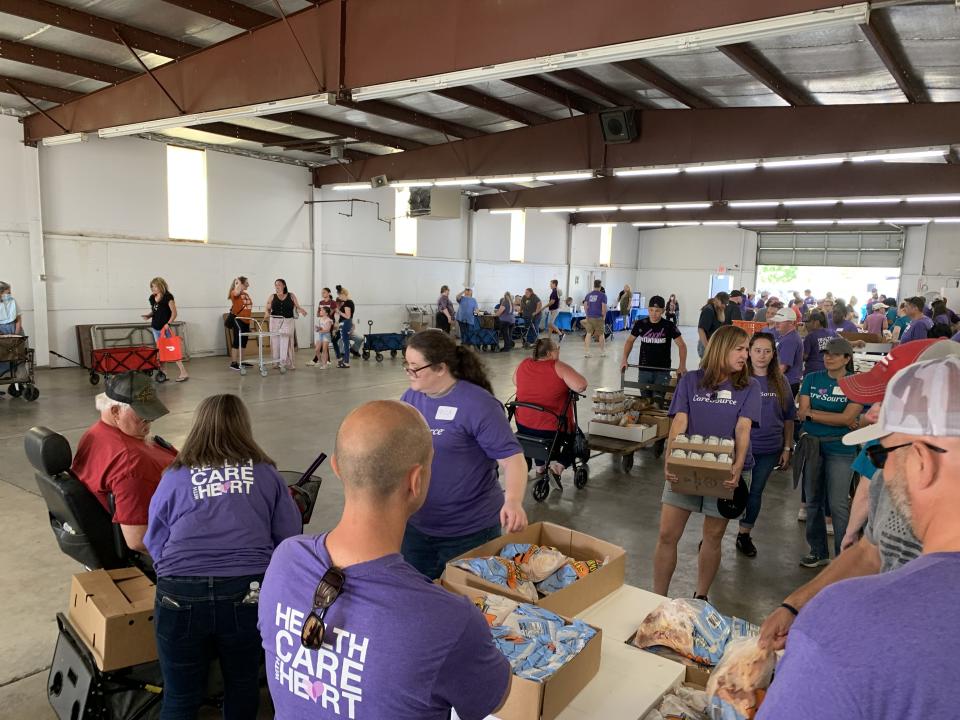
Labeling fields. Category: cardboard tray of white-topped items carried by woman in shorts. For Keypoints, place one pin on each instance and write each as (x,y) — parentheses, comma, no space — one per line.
(703,464)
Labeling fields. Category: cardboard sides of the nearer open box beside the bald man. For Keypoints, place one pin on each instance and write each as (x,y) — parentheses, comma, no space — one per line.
(529,700)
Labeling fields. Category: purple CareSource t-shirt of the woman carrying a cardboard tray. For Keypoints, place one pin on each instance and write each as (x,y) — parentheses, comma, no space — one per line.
(716,411)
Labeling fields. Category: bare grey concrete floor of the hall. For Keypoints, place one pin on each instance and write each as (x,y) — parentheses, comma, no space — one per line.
(295,418)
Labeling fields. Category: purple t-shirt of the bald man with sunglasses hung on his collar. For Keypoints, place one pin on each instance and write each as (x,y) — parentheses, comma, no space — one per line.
(396,646)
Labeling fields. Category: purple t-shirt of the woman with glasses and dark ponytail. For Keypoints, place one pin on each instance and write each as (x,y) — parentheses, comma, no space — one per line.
(470,433)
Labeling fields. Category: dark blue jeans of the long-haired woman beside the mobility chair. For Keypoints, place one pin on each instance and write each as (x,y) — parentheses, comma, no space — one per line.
(198,619)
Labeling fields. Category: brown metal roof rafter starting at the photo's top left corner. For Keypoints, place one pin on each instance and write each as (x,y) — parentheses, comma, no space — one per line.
(101,28)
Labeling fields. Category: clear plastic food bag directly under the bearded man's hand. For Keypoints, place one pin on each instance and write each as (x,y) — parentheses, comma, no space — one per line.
(738,684)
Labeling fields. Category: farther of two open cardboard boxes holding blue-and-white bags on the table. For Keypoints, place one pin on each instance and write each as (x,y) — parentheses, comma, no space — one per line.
(579,546)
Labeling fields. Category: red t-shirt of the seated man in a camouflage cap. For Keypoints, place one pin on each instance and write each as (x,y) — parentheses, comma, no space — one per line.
(110,461)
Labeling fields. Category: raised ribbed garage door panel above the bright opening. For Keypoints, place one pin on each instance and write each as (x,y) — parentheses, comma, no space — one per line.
(880,249)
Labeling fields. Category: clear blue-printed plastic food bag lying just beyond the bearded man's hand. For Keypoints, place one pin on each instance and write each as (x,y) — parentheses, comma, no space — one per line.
(693,628)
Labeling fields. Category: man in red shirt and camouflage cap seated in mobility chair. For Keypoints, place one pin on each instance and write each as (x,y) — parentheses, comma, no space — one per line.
(116,457)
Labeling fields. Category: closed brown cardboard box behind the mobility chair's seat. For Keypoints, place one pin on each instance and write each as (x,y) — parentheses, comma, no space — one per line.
(112,611)
